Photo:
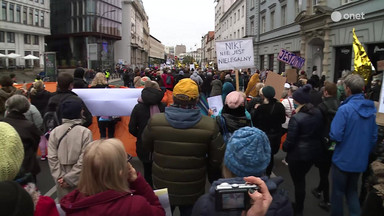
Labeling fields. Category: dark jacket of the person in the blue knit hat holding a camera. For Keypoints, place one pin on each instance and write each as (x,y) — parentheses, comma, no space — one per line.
(280,206)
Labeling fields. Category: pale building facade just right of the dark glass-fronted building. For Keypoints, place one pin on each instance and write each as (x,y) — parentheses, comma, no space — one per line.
(133,49)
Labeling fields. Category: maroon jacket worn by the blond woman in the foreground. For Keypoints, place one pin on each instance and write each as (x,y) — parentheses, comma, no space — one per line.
(142,201)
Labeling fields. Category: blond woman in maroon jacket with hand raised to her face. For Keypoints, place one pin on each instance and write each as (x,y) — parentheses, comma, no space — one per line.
(109,185)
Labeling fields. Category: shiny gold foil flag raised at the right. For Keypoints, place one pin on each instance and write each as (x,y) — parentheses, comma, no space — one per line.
(361,61)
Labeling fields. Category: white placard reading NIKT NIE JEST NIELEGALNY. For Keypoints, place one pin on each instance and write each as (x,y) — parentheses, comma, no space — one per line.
(235,54)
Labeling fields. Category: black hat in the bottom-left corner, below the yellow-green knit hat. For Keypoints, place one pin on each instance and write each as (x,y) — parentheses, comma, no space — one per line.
(14,200)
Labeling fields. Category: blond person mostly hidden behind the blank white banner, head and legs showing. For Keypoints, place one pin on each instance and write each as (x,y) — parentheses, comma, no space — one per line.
(104,122)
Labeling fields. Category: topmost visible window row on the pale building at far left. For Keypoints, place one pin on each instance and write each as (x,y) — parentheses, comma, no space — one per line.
(22,14)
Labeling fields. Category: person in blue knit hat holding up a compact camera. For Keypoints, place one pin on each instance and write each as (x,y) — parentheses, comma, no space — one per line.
(241,193)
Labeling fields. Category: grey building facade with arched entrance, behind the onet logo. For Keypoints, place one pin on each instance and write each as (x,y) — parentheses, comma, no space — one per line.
(309,29)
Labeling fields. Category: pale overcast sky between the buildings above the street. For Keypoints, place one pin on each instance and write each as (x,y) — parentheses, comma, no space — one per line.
(175,22)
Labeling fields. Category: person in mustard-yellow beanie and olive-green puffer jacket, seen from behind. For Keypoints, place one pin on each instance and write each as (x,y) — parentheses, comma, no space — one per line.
(185,146)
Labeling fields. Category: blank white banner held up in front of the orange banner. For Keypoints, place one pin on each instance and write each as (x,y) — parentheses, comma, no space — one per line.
(109,102)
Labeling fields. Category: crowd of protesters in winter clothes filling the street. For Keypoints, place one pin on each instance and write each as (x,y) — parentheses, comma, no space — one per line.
(182,144)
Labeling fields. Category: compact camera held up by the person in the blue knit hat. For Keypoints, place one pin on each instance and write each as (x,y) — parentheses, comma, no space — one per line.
(233,196)
